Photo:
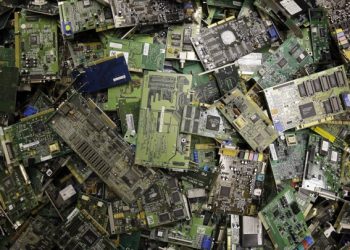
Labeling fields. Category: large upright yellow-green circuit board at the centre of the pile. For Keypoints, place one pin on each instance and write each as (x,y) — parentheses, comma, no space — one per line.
(164,96)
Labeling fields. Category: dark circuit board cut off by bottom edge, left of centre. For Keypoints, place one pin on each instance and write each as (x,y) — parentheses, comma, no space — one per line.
(79,232)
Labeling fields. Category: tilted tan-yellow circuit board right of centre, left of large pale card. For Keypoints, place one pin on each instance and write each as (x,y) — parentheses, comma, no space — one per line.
(248,119)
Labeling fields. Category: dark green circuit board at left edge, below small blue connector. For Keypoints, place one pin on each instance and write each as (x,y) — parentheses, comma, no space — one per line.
(32,141)
